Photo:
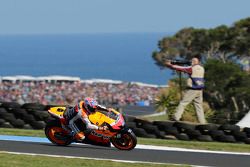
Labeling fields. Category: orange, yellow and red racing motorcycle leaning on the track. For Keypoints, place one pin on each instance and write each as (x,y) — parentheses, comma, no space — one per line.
(118,134)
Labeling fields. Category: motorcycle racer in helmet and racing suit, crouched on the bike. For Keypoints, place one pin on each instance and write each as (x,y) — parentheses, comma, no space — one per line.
(81,111)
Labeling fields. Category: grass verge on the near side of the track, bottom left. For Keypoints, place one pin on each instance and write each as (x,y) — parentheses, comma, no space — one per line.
(12,160)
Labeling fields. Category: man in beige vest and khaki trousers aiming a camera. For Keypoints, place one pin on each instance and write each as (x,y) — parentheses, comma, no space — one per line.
(195,88)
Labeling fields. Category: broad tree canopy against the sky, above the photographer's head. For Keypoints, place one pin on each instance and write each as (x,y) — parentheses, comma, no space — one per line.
(221,43)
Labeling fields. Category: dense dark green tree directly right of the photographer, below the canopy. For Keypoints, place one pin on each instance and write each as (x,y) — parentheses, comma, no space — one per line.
(227,89)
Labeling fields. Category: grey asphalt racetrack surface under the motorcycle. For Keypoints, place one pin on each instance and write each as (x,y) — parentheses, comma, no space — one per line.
(142,155)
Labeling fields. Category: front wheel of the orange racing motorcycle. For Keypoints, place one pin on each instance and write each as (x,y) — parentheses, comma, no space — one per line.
(127,141)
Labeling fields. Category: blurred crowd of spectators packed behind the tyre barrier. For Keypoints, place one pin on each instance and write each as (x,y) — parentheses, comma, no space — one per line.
(69,93)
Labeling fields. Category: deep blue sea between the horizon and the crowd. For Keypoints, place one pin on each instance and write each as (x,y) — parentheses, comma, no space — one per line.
(126,56)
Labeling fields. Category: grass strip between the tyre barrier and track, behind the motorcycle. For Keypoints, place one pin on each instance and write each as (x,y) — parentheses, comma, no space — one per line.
(216,146)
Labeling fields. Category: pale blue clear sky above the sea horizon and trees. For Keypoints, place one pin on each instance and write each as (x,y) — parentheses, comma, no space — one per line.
(116,16)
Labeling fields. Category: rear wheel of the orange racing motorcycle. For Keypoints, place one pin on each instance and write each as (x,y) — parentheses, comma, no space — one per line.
(56,134)
